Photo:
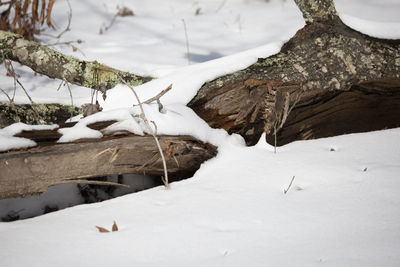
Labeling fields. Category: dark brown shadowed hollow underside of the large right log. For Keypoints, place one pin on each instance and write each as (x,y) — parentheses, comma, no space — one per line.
(365,107)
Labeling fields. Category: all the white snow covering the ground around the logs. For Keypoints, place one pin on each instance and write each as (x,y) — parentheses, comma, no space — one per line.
(341,210)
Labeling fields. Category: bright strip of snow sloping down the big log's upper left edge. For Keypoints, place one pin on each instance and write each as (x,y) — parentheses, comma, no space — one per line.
(187,80)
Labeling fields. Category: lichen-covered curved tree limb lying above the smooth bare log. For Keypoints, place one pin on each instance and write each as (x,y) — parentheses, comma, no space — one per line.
(53,64)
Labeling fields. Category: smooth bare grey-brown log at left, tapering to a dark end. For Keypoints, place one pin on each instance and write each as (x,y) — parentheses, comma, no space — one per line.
(32,171)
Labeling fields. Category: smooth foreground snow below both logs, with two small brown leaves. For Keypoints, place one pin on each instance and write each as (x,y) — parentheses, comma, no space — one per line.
(233,212)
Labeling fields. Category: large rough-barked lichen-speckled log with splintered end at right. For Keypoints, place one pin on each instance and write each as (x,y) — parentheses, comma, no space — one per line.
(324,60)
